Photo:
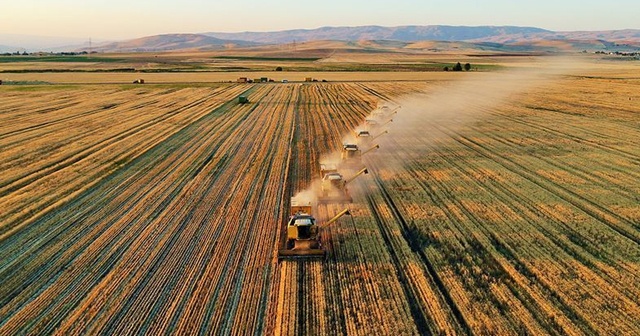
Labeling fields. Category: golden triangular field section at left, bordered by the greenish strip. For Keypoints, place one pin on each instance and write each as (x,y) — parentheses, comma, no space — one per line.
(57,146)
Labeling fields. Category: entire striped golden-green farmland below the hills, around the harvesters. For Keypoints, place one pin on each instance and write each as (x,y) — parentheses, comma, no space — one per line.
(504,200)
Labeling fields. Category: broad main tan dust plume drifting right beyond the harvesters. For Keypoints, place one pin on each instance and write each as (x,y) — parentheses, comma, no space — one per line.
(426,118)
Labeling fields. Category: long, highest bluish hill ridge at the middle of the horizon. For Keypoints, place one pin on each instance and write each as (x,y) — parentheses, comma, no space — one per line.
(402,33)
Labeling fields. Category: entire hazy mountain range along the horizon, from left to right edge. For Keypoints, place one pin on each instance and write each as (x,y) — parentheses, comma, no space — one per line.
(495,36)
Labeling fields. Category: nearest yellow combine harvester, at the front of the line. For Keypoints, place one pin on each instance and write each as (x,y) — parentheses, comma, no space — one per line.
(302,240)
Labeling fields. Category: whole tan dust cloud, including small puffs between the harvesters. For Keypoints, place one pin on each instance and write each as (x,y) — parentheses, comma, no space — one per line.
(404,127)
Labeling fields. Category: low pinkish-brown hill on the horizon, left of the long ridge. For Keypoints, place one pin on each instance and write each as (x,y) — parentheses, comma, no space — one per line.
(167,42)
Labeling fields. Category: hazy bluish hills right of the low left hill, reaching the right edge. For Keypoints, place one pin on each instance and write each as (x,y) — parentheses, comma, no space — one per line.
(496,38)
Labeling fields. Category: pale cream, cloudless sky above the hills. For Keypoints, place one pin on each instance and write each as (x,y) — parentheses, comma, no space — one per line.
(126,19)
